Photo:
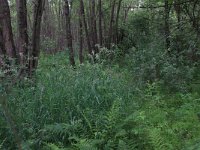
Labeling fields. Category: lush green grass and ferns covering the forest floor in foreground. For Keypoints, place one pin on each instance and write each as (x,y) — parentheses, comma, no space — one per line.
(93,107)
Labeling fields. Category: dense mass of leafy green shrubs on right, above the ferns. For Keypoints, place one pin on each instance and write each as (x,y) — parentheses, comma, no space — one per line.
(144,53)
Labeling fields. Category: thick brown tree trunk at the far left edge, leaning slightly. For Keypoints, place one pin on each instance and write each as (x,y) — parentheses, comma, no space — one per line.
(7,29)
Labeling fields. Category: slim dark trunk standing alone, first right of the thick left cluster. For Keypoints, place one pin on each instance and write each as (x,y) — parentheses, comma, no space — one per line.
(68,33)
